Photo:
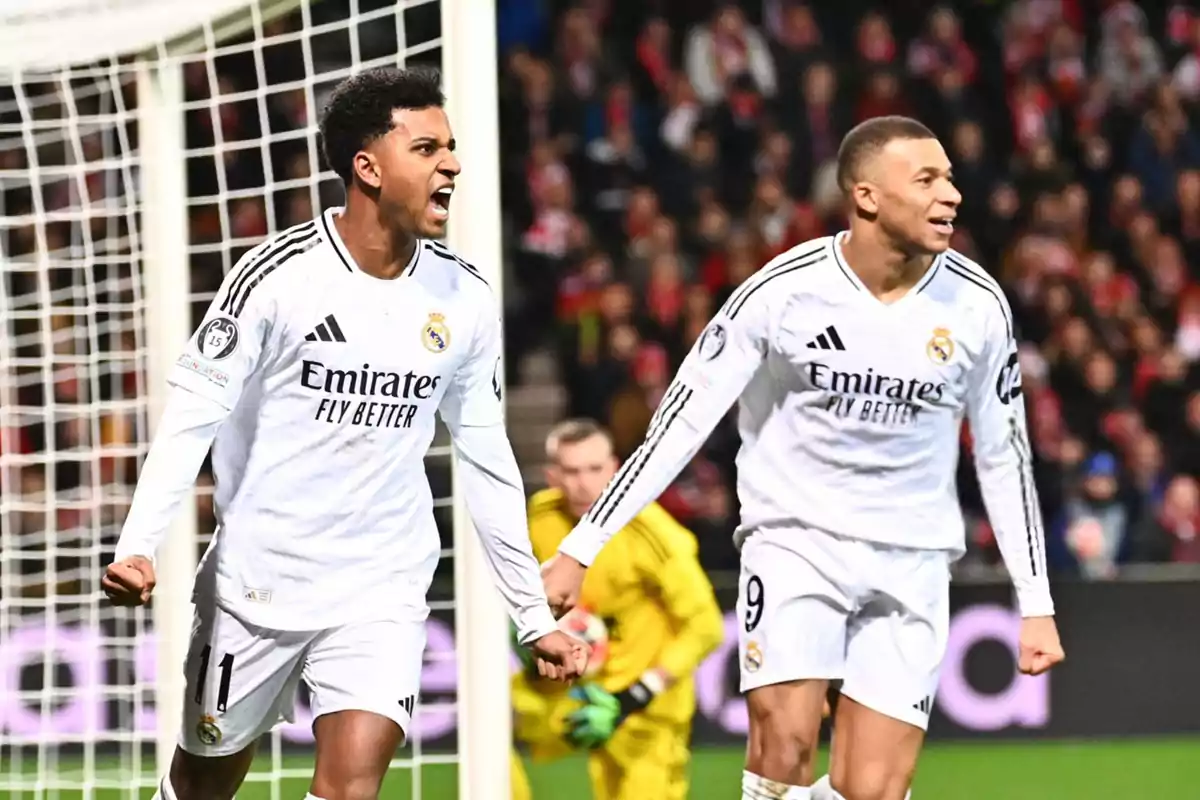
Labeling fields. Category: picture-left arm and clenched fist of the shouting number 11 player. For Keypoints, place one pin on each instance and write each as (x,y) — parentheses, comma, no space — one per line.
(207,383)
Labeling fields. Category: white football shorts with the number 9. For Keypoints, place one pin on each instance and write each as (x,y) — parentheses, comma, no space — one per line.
(818,606)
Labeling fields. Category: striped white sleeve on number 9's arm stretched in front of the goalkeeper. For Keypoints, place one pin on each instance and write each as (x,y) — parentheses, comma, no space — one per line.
(712,377)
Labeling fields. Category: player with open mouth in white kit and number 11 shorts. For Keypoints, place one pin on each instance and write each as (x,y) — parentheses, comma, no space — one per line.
(316,377)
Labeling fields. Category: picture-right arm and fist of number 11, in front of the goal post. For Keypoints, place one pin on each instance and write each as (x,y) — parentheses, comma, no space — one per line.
(495,492)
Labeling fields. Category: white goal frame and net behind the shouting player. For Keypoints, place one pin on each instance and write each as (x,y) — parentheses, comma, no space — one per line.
(142,51)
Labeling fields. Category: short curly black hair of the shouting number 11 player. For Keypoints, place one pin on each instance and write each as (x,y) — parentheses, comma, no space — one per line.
(361,110)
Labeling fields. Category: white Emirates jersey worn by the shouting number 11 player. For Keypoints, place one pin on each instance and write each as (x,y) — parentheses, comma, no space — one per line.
(332,380)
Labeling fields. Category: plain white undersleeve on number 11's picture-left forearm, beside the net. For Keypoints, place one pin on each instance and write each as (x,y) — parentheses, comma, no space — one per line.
(185,435)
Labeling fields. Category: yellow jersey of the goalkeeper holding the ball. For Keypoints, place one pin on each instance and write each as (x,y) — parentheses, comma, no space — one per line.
(650,590)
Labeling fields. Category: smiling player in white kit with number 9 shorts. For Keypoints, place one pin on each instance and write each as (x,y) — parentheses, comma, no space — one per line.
(856,359)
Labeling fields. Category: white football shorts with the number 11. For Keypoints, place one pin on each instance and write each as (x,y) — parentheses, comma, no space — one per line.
(243,679)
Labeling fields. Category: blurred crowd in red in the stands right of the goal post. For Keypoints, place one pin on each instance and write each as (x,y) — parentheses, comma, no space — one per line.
(658,154)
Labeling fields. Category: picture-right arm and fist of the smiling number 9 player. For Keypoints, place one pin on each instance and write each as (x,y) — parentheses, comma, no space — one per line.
(1005,465)
